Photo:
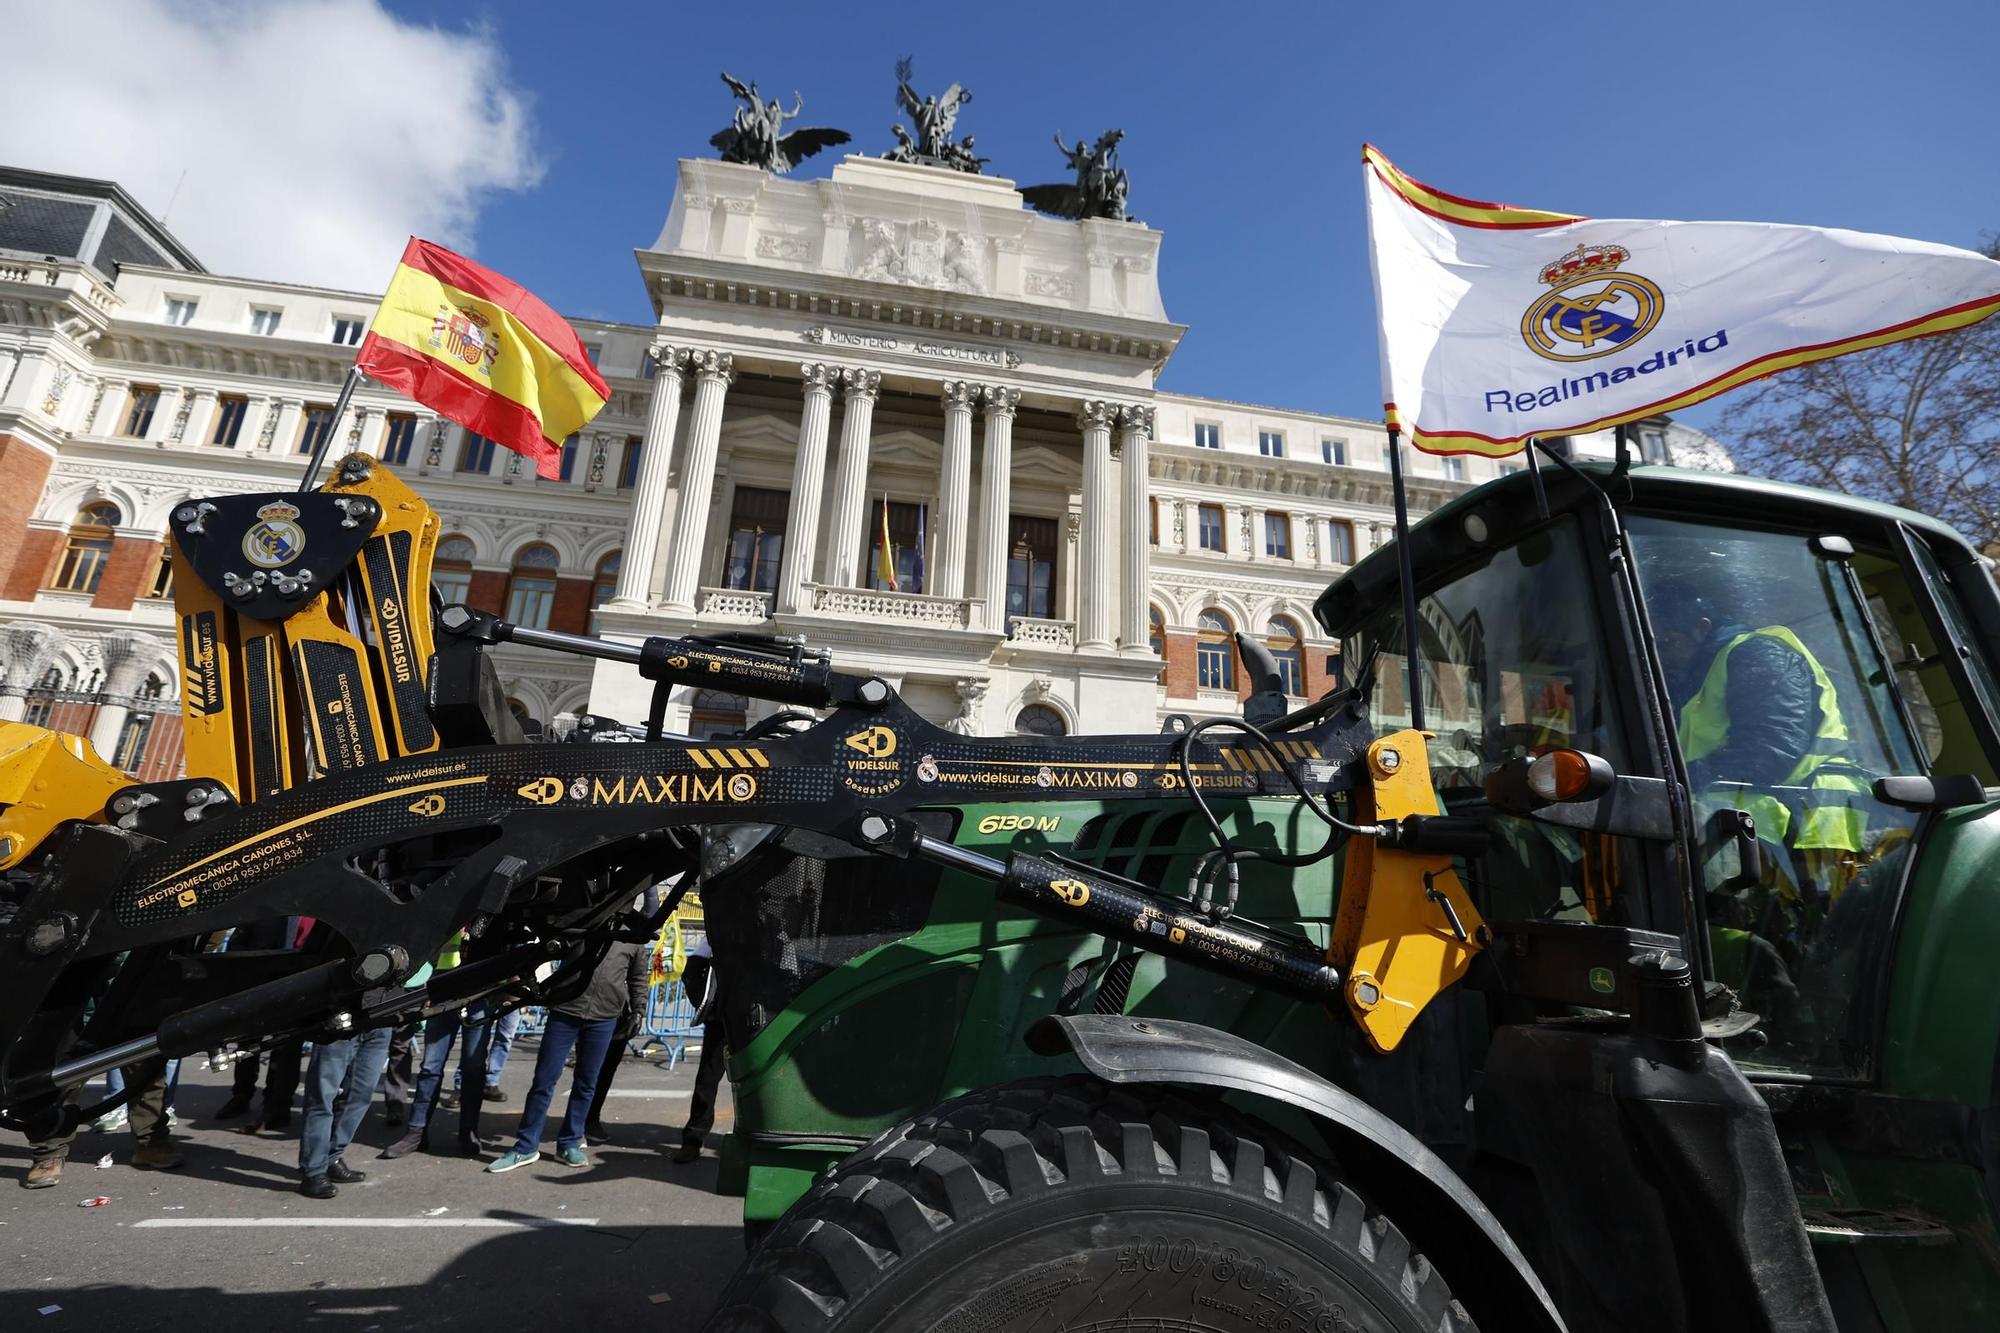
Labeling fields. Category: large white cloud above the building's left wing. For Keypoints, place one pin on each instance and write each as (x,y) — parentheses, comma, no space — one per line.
(315,135)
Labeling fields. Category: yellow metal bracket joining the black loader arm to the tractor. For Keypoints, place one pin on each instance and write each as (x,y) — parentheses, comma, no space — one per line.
(1395,942)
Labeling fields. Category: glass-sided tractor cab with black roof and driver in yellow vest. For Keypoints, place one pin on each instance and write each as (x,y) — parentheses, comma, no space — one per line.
(1785,708)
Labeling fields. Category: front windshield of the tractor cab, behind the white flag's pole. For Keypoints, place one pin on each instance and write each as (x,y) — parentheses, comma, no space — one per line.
(1513,665)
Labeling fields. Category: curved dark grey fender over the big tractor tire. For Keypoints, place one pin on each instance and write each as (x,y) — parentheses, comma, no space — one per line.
(1387,1162)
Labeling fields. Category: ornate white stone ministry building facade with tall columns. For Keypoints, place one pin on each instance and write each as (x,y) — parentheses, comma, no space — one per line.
(891,351)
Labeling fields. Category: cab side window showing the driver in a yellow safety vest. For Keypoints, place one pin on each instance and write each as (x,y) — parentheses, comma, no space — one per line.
(1795,682)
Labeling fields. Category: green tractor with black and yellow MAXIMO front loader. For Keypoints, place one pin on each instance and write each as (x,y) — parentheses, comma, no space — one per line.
(1611,962)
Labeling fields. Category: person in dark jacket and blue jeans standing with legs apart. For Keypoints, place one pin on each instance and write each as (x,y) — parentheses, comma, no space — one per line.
(587,1026)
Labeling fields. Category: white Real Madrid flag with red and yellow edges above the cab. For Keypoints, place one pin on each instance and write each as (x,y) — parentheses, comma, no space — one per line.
(1509,323)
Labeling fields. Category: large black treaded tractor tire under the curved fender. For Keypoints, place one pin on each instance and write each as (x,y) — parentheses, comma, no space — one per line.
(1071,1204)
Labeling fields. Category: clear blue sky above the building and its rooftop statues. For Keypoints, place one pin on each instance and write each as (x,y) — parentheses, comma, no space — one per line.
(1245,125)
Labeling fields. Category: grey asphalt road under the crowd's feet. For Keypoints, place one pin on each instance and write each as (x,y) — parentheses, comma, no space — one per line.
(425,1242)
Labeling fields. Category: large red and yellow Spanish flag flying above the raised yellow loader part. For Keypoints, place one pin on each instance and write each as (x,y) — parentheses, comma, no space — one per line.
(485,351)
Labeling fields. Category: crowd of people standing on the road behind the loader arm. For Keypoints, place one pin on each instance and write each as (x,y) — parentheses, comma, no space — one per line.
(339,1082)
